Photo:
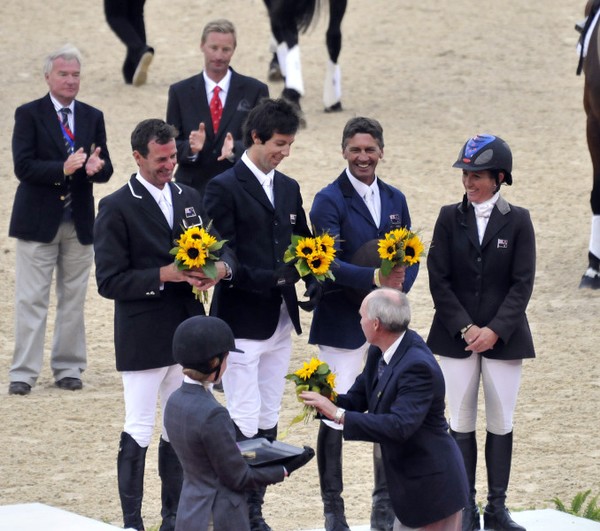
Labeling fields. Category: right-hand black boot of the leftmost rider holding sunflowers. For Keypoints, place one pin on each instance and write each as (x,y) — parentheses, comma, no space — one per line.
(171,477)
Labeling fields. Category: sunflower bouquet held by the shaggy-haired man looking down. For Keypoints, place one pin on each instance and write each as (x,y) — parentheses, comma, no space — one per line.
(312,256)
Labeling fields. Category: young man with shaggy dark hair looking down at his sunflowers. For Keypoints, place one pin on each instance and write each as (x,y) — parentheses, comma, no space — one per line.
(257,208)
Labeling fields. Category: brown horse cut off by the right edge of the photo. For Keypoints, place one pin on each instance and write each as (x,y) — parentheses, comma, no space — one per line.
(590,64)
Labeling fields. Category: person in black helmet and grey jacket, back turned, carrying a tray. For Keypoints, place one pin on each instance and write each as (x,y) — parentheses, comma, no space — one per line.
(203,435)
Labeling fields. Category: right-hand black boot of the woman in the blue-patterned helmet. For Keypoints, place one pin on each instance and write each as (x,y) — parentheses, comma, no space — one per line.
(498,456)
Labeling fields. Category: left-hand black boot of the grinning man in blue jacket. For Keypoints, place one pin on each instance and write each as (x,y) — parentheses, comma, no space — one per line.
(329,463)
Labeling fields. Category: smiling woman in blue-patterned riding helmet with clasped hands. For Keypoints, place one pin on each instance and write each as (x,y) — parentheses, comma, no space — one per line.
(481,267)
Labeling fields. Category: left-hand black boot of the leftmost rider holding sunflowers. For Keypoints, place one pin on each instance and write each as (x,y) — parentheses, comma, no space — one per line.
(131,462)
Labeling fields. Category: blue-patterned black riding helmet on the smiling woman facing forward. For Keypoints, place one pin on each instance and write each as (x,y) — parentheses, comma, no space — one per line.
(486,152)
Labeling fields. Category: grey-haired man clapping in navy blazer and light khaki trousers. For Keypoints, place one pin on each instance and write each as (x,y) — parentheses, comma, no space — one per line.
(59,151)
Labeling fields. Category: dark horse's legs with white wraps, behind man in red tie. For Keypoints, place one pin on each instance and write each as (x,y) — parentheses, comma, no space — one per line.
(289,18)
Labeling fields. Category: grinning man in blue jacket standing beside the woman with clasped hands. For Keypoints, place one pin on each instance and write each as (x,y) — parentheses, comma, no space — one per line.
(341,210)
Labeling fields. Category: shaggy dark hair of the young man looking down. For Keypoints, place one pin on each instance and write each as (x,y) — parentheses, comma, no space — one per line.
(269,117)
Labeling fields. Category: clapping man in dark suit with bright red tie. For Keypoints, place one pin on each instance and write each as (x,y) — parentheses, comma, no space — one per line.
(202,150)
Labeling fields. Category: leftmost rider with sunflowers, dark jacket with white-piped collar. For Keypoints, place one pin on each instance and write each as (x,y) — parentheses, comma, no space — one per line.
(136,227)
